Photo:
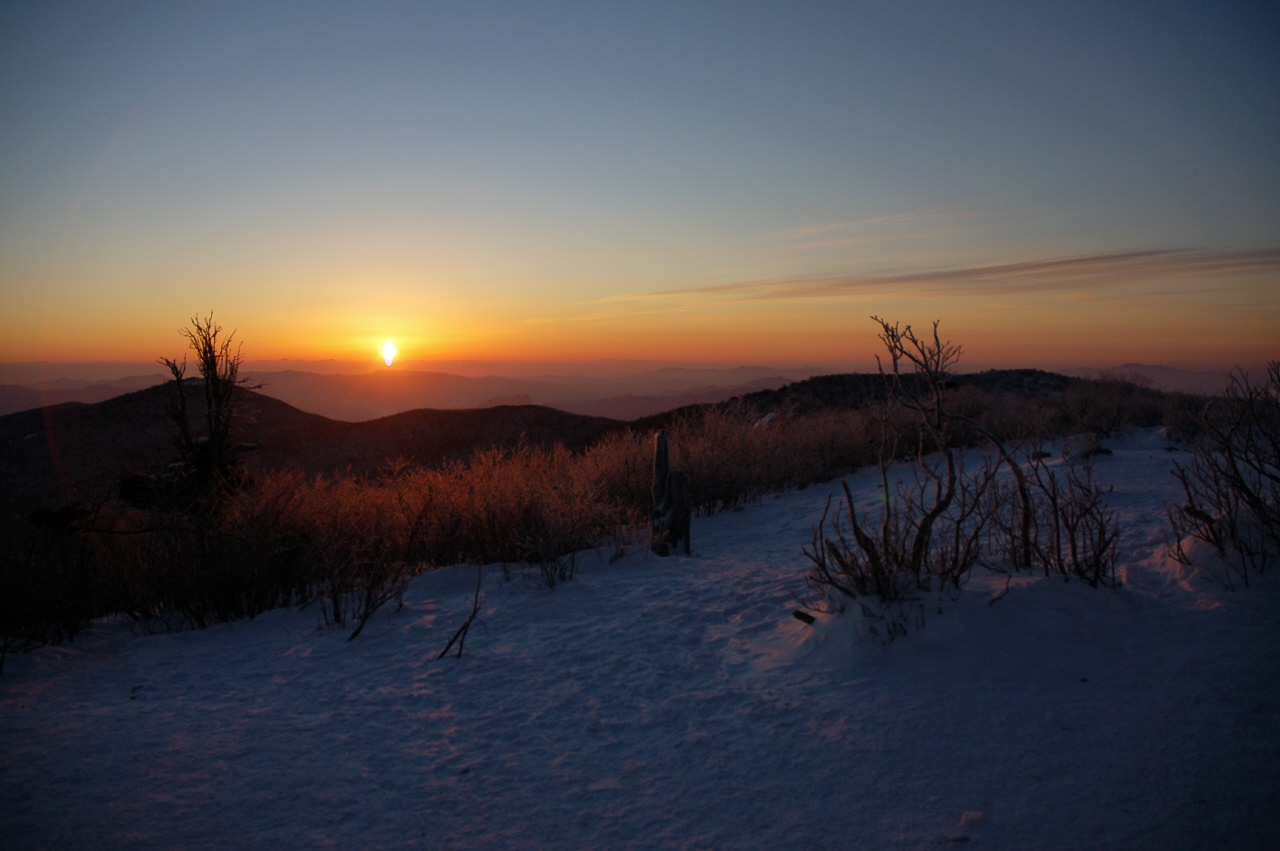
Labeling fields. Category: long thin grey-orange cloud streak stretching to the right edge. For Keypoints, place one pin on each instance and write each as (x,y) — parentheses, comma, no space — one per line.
(1086,273)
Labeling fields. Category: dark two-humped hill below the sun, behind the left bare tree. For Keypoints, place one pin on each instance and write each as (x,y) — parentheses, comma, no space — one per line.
(76,451)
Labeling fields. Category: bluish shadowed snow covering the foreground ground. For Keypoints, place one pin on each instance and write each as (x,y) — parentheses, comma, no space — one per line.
(676,703)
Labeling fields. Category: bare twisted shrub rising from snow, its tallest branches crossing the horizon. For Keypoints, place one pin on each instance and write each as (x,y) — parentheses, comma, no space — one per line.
(935,518)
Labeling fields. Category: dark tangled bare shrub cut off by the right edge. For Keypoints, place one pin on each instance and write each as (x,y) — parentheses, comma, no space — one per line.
(1232,486)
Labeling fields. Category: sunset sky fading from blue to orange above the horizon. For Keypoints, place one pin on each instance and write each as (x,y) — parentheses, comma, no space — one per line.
(487,180)
